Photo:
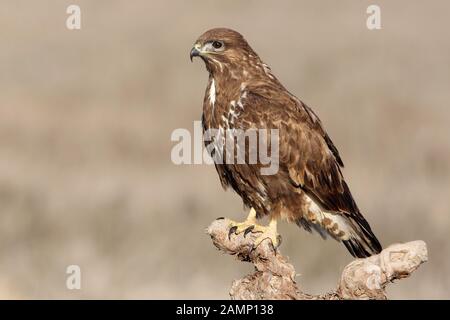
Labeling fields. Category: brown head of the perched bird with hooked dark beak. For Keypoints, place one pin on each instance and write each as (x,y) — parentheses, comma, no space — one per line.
(222,48)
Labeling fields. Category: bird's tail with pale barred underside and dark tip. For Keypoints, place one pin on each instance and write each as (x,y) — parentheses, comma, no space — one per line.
(352,230)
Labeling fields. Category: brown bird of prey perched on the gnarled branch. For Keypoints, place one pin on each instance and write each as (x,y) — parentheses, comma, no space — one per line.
(308,188)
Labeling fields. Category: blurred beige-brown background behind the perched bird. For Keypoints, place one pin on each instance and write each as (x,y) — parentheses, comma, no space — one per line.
(86,117)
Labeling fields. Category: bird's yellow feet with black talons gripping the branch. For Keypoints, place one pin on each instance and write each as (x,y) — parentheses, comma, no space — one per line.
(250,225)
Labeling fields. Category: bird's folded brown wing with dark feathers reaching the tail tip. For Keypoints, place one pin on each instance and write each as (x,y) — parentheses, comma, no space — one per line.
(313,162)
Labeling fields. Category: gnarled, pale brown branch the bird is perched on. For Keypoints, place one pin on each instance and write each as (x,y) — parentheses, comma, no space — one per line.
(274,276)
